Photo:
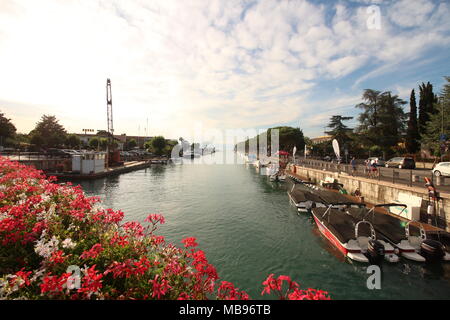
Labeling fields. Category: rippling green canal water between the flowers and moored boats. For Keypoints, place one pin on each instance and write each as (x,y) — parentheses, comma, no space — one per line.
(248,230)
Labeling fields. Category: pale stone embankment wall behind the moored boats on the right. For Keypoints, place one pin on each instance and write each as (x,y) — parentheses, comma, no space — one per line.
(375,191)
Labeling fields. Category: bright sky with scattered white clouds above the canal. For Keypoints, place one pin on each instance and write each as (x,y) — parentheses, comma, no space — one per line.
(217,64)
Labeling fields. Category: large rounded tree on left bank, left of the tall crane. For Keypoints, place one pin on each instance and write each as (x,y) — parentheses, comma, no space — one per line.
(48,133)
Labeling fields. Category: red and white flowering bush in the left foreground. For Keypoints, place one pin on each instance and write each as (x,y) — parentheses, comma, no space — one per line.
(56,243)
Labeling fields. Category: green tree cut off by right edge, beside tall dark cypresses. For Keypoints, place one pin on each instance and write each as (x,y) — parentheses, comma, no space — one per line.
(439,123)
